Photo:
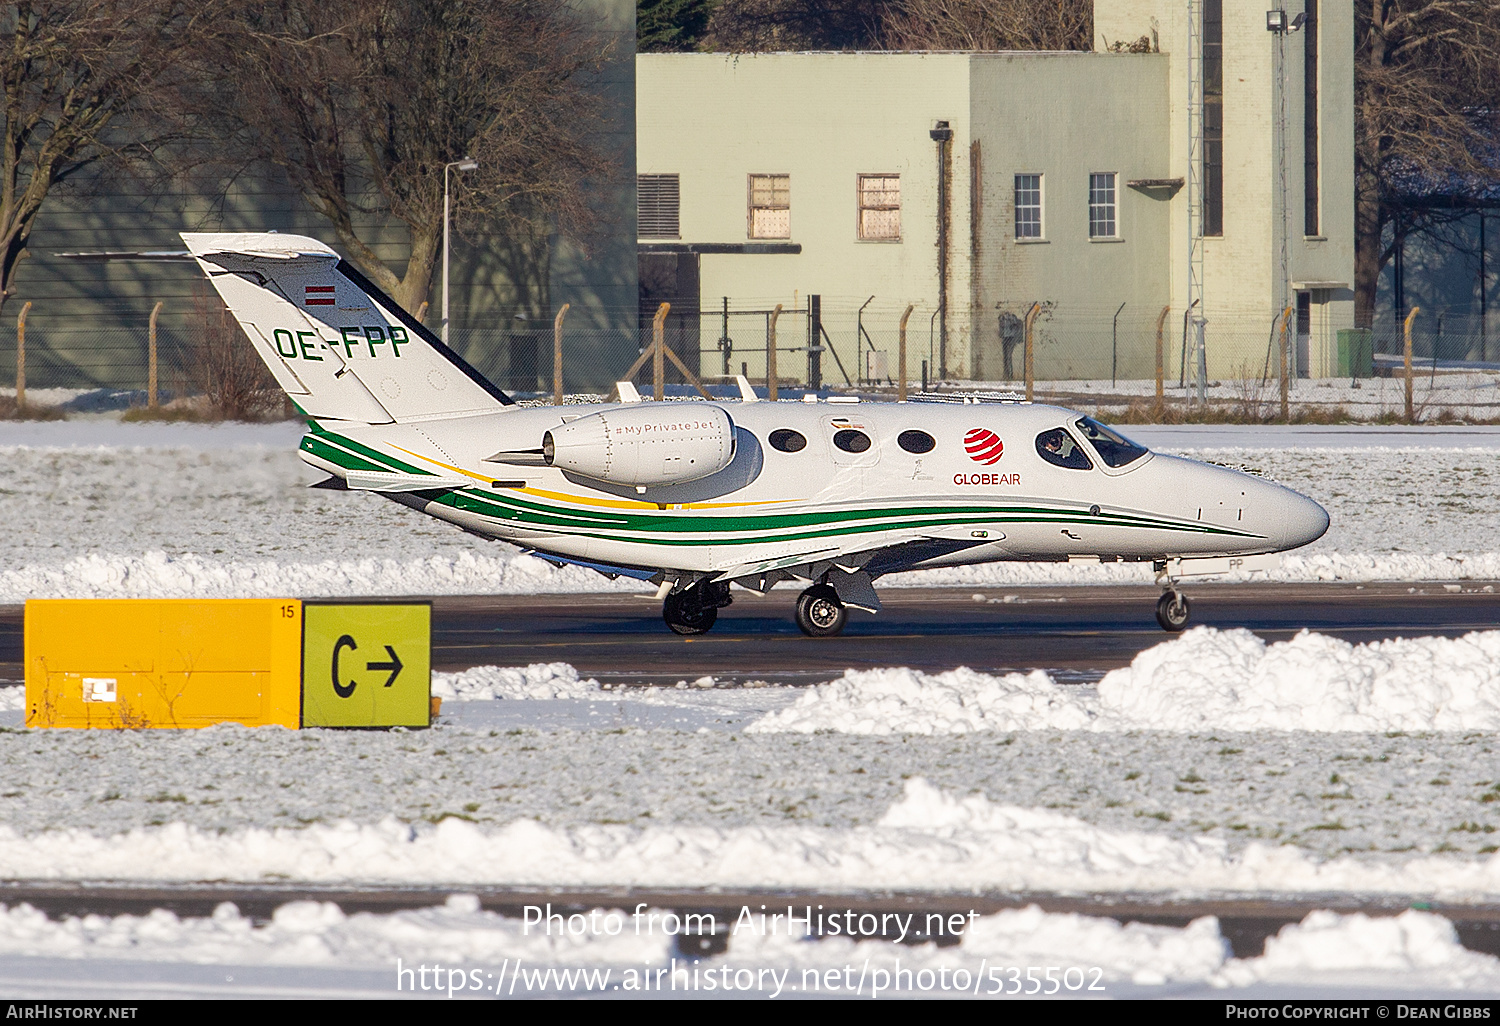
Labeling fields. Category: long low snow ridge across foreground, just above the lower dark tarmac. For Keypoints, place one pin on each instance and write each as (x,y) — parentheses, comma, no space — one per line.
(928,841)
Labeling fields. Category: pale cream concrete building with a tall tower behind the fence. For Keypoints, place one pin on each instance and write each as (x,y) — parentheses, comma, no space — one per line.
(980,187)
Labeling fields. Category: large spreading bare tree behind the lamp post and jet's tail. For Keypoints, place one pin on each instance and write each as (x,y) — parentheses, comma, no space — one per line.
(362,103)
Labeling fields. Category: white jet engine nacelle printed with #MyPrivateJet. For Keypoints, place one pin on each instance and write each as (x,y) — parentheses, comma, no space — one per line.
(641,446)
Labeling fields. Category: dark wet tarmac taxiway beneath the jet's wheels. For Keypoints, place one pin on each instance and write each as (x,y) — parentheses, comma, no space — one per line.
(1078,632)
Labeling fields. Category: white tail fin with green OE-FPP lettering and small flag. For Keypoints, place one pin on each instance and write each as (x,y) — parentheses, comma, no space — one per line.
(340,347)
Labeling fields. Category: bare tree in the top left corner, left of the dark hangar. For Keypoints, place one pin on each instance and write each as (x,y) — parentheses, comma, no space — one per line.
(88,86)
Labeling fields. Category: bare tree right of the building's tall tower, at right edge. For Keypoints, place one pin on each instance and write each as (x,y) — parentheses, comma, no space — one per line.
(1427,112)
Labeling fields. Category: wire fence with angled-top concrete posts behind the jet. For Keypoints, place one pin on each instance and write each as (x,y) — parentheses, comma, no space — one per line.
(202,358)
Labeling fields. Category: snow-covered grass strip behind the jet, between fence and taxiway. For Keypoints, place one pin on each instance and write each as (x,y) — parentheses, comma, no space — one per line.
(106,509)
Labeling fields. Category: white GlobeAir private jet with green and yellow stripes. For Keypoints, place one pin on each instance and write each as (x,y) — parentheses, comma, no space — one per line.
(700,496)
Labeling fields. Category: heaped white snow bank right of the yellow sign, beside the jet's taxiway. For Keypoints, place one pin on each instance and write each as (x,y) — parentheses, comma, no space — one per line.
(1205,680)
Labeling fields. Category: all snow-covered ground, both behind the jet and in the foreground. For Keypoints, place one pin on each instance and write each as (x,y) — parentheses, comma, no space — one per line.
(1178,775)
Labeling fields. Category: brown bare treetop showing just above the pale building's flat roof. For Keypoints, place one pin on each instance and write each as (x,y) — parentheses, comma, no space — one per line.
(989,25)
